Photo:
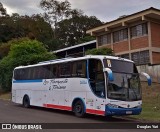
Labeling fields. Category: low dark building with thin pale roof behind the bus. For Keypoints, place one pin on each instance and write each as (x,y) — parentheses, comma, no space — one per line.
(76,50)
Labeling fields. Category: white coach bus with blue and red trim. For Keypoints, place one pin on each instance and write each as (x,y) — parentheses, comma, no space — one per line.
(93,84)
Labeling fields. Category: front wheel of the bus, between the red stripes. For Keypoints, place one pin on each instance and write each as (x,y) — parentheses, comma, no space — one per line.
(79,109)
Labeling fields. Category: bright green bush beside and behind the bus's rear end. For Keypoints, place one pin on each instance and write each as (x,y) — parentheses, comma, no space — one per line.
(22,52)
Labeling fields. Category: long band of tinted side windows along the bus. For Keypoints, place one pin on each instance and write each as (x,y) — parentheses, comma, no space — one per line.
(63,70)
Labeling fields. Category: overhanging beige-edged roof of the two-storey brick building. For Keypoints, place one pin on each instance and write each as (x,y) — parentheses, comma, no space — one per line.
(144,15)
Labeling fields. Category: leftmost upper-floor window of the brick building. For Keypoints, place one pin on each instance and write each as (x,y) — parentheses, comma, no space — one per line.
(104,39)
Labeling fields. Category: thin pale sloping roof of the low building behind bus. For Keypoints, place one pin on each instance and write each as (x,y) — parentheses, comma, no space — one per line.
(75,46)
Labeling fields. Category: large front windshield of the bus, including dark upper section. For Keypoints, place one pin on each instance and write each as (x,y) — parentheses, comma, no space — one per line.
(126,84)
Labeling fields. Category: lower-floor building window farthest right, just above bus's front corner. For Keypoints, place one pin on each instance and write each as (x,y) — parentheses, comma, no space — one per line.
(141,57)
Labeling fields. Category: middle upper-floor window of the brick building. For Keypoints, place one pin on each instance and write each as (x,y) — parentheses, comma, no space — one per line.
(120,35)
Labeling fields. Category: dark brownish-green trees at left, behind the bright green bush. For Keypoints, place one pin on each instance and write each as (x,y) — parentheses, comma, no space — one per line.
(16,26)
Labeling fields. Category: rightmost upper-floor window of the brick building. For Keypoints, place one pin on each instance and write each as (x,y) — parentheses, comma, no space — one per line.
(139,30)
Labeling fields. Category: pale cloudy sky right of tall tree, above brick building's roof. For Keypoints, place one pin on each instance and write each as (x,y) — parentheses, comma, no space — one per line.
(108,10)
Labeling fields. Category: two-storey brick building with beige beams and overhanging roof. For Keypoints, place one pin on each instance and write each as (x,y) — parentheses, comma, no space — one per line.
(136,37)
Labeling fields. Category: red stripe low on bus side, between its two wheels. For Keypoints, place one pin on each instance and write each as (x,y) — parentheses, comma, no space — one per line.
(57,107)
